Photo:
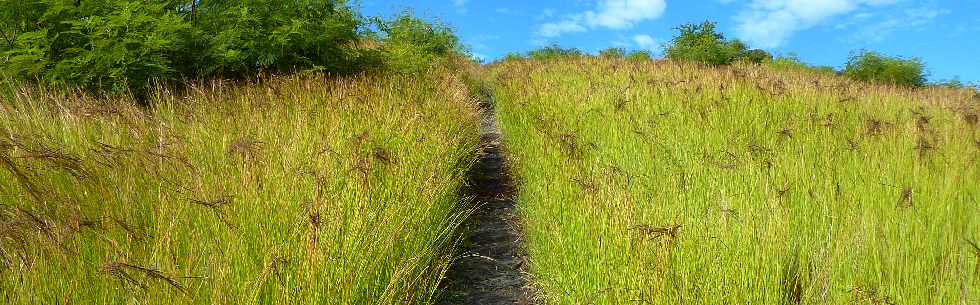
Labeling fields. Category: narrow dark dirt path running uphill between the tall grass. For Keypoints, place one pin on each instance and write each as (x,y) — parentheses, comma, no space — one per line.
(489,272)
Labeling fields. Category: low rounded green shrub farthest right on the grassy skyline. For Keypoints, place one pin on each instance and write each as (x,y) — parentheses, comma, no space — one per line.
(875,67)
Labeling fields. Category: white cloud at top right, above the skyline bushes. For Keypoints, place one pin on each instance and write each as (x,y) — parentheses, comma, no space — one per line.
(769,23)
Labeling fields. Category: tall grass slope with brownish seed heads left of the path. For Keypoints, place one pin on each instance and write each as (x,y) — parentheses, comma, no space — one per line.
(297,190)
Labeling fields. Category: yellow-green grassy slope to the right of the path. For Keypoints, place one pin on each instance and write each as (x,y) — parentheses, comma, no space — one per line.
(664,183)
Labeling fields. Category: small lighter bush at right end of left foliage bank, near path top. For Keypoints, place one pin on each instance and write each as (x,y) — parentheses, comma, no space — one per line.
(413,45)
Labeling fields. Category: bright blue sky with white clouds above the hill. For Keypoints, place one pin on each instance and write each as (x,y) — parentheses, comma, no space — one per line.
(945,34)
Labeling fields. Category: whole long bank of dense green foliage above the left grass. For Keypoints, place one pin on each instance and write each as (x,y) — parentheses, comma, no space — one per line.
(119,46)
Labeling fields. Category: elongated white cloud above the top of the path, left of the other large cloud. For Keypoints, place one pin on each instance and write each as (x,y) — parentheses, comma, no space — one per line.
(613,14)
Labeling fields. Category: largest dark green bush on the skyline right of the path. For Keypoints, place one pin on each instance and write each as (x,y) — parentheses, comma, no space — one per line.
(702,43)
